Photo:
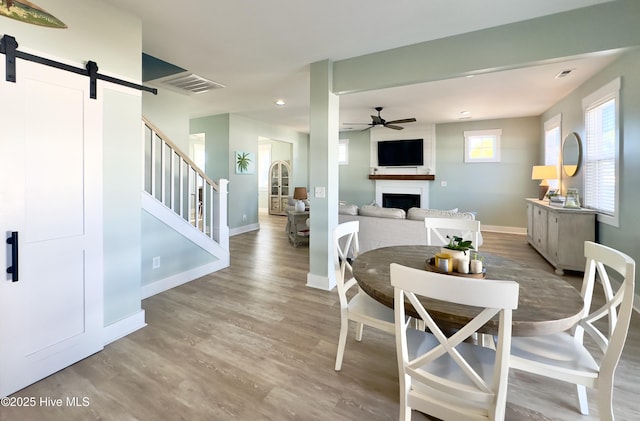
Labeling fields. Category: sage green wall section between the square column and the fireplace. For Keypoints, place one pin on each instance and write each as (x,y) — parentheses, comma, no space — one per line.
(355,186)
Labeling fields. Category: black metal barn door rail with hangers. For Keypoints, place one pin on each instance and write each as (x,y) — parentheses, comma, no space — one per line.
(9,47)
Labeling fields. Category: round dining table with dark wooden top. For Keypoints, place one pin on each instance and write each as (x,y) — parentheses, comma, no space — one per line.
(547,303)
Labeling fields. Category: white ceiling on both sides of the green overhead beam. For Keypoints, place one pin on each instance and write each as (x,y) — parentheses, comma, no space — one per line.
(261,51)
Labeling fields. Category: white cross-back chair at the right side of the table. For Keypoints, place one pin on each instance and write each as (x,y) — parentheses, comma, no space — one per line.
(567,356)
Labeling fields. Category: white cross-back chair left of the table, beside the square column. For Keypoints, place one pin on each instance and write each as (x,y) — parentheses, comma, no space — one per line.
(361,308)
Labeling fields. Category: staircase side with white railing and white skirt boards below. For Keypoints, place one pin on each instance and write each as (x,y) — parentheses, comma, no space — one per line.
(181,196)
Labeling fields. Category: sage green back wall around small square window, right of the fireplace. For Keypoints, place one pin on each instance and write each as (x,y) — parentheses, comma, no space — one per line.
(495,190)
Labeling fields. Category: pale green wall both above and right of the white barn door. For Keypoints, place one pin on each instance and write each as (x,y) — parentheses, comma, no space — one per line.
(117,53)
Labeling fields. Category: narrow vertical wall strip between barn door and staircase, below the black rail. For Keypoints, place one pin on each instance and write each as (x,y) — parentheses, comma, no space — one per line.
(122,229)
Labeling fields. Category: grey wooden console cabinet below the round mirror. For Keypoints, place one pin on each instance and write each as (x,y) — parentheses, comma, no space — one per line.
(558,233)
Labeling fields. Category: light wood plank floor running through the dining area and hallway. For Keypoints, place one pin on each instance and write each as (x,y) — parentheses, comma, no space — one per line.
(252,342)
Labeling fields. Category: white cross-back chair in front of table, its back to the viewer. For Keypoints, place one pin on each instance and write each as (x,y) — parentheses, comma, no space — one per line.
(443,376)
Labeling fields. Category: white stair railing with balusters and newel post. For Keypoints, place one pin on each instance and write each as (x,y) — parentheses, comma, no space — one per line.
(176,181)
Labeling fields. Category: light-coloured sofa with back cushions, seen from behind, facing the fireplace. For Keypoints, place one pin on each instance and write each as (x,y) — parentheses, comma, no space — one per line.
(382,227)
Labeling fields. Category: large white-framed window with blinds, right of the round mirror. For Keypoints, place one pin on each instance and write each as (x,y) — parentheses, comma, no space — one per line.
(602,146)
